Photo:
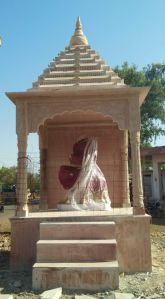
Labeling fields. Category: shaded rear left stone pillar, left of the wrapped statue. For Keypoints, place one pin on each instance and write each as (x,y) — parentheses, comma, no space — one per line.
(43,169)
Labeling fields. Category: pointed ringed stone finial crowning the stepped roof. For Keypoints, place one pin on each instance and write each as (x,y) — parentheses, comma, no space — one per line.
(78,38)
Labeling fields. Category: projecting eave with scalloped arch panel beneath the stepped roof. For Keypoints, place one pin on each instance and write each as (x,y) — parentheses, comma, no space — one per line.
(122,104)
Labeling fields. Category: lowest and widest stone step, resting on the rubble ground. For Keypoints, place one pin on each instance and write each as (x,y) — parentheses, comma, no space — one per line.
(97,276)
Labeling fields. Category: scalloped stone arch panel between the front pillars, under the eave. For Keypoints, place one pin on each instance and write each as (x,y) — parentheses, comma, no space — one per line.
(38,114)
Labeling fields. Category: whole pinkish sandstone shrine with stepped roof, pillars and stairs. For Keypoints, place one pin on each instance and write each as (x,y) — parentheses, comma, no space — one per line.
(79,95)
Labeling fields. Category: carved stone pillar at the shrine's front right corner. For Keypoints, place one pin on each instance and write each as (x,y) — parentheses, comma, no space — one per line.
(138,204)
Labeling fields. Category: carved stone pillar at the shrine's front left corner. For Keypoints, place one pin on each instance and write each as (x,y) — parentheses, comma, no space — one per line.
(22,197)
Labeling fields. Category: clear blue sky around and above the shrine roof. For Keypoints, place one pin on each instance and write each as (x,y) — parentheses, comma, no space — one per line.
(35,31)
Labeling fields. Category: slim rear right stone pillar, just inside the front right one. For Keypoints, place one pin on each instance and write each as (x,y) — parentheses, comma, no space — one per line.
(124,170)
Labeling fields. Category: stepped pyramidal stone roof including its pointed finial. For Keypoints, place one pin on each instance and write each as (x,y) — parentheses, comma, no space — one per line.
(77,65)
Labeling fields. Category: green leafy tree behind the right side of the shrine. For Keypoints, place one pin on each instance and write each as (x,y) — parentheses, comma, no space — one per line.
(153,108)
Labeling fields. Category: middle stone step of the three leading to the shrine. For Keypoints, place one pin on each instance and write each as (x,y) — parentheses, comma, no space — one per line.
(76,250)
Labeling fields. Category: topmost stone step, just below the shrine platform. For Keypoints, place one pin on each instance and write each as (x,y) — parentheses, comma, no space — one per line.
(77,230)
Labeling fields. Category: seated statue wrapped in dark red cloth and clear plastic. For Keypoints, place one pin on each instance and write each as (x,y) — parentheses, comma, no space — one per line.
(85,182)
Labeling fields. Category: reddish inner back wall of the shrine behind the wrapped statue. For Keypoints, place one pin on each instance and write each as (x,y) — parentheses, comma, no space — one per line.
(57,136)
